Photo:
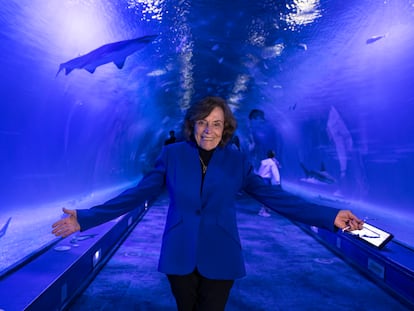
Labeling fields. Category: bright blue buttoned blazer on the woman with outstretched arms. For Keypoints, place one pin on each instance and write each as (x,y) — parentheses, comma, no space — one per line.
(201,230)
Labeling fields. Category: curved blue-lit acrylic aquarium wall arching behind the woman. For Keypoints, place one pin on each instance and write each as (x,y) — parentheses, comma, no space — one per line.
(330,84)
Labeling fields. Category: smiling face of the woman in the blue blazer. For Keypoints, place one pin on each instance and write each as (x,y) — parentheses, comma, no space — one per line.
(209,131)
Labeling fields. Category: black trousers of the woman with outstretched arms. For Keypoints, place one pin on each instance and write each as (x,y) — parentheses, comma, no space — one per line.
(194,292)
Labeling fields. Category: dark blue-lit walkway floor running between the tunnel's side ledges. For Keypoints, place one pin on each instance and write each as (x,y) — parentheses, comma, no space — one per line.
(286,270)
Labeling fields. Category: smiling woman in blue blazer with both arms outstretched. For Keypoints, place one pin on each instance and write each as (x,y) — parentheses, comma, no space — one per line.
(201,252)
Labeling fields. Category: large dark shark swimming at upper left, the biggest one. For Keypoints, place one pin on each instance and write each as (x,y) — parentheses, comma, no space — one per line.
(115,52)
